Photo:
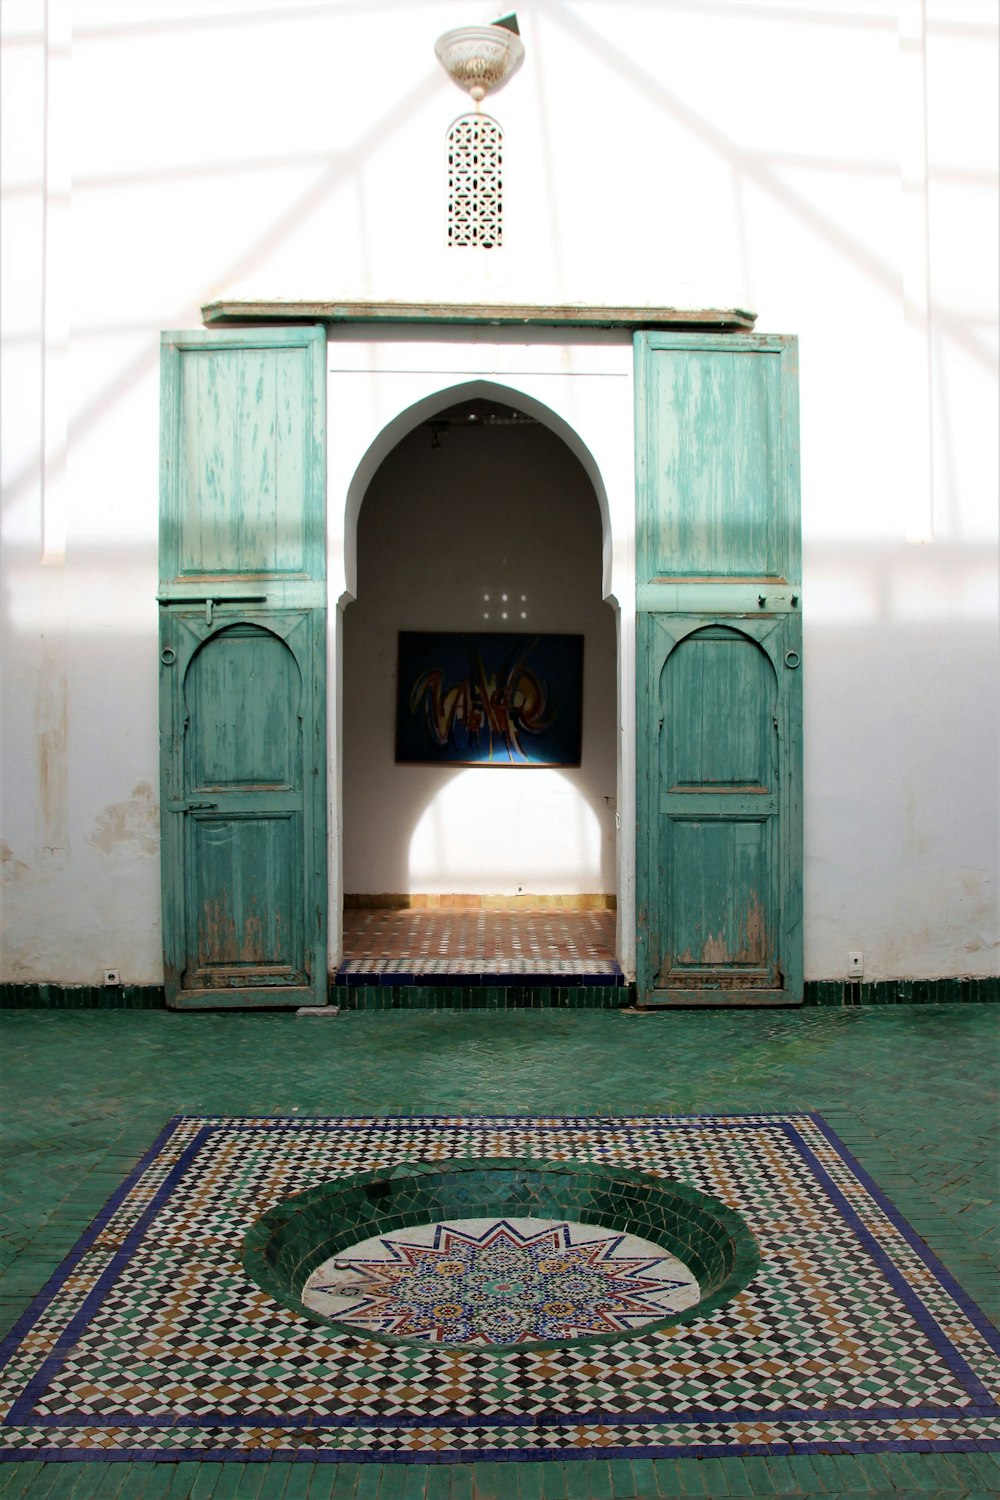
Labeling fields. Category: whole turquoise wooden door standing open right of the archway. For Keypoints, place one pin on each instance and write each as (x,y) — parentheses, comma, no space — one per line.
(719,673)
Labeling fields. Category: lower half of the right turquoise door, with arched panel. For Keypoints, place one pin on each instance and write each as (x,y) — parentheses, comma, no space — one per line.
(720,811)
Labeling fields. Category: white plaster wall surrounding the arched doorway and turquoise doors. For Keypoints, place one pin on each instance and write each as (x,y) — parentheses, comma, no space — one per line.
(831,166)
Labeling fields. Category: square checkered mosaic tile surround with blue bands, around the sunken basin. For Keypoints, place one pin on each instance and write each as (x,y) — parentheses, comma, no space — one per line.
(152,1340)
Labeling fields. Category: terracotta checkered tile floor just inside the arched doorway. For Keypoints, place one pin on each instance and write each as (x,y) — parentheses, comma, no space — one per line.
(421,941)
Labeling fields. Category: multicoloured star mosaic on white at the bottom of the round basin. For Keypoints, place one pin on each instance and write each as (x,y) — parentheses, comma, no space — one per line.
(501,1282)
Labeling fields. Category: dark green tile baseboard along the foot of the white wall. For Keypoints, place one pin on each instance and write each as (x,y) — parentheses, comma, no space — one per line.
(960,991)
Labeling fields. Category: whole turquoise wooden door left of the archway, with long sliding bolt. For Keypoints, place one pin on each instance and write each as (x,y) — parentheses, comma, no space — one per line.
(242,670)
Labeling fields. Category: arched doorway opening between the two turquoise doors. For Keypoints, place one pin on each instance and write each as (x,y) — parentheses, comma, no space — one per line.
(484,527)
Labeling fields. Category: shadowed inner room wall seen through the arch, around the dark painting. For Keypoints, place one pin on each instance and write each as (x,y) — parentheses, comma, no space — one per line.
(478,517)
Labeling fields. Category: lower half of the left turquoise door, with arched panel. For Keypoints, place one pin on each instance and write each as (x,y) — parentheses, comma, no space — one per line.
(239,769)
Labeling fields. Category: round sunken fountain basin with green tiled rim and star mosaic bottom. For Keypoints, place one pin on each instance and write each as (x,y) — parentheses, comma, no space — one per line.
(500,1253)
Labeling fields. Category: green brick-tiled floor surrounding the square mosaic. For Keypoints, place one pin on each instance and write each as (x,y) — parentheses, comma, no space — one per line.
(909,1090)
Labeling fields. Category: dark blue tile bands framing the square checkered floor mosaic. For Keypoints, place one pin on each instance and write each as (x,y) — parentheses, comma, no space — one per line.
(623,1127)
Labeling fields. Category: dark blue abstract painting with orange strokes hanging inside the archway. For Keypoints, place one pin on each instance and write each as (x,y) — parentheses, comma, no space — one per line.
(490,700)
